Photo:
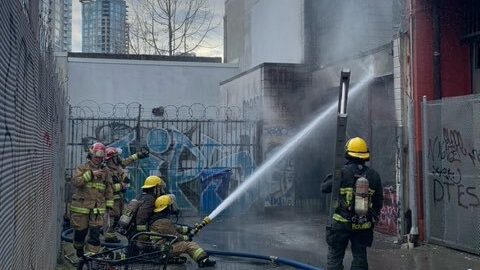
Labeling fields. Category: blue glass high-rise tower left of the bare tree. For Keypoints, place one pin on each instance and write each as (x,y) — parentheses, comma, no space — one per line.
(104,26)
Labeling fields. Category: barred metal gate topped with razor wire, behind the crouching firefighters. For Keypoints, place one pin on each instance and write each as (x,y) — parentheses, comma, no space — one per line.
(201,152)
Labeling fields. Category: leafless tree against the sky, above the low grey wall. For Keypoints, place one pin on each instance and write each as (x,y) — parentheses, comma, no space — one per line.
(170,26)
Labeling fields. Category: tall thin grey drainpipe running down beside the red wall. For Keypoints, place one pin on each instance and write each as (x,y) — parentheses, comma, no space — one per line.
(412,201)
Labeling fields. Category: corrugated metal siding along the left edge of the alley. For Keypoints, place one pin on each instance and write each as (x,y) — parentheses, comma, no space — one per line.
(32,118)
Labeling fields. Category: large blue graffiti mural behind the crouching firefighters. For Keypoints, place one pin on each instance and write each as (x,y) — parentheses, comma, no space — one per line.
(199,170)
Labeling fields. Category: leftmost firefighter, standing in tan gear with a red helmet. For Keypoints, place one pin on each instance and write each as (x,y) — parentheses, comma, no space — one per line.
(90,200)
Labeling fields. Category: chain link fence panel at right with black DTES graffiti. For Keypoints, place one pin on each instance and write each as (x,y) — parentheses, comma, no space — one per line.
(451,158)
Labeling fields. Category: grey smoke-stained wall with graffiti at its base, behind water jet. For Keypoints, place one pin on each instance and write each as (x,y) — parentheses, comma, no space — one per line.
(272,94)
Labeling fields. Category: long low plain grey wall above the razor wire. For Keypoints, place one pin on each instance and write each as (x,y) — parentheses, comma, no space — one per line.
(149,82)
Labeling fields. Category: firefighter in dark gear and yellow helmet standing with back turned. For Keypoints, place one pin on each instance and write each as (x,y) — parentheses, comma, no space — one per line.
(359,204)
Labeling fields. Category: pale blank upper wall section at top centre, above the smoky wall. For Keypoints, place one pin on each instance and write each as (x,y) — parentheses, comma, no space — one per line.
(277,35)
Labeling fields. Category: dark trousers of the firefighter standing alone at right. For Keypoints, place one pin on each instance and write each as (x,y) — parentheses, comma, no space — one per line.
(337,240)
